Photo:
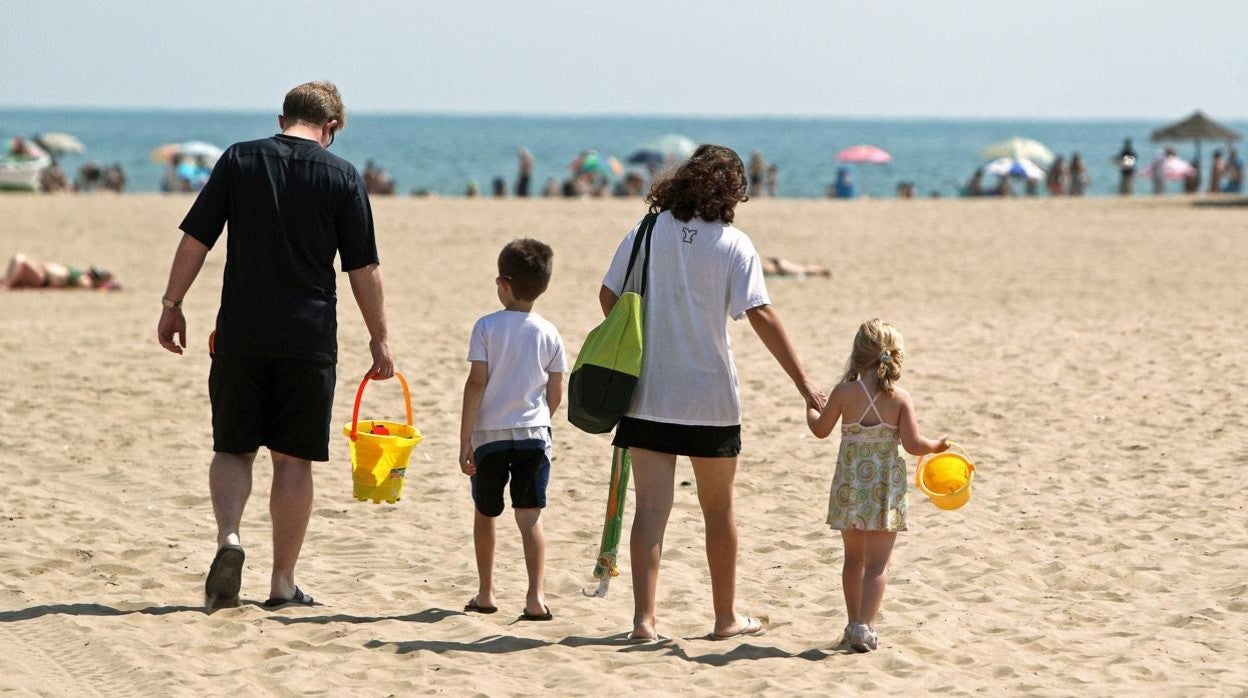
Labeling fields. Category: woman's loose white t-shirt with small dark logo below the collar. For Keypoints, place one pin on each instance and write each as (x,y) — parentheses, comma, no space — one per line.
(702,274)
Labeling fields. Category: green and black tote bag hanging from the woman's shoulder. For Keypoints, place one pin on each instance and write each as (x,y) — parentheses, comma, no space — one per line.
(603,380)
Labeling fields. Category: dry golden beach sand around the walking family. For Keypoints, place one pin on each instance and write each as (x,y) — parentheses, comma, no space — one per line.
(1090,355)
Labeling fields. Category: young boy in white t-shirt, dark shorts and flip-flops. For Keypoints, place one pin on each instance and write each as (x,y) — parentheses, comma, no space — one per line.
(515,384)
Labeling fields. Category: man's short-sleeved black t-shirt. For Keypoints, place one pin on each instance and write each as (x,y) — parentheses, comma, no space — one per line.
(291,207)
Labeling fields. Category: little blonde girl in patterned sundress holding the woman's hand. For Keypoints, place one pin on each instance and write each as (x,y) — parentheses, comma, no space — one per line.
(868,503)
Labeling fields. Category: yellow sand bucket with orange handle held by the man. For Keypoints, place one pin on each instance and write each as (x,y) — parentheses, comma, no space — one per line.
(380,451)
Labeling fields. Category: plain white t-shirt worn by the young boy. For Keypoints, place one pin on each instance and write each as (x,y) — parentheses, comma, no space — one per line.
(520,350)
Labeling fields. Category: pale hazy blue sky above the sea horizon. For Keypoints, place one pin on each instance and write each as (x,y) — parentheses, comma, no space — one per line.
(1058,59)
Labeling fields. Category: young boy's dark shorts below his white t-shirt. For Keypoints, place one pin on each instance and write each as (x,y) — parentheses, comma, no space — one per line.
(529,466)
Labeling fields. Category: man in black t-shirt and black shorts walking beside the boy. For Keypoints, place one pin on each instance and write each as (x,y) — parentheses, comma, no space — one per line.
(291,207)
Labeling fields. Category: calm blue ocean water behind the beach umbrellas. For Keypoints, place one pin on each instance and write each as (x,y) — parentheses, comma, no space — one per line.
(442,153)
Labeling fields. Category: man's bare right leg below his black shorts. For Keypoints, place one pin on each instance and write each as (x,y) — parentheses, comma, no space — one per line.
(290,505)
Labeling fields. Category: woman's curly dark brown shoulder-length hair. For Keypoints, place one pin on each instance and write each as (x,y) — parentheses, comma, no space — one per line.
(709,185)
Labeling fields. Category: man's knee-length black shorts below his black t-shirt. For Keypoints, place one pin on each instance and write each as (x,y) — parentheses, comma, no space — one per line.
(283,404)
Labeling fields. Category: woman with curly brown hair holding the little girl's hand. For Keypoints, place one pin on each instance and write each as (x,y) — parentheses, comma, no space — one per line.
(702,273)
